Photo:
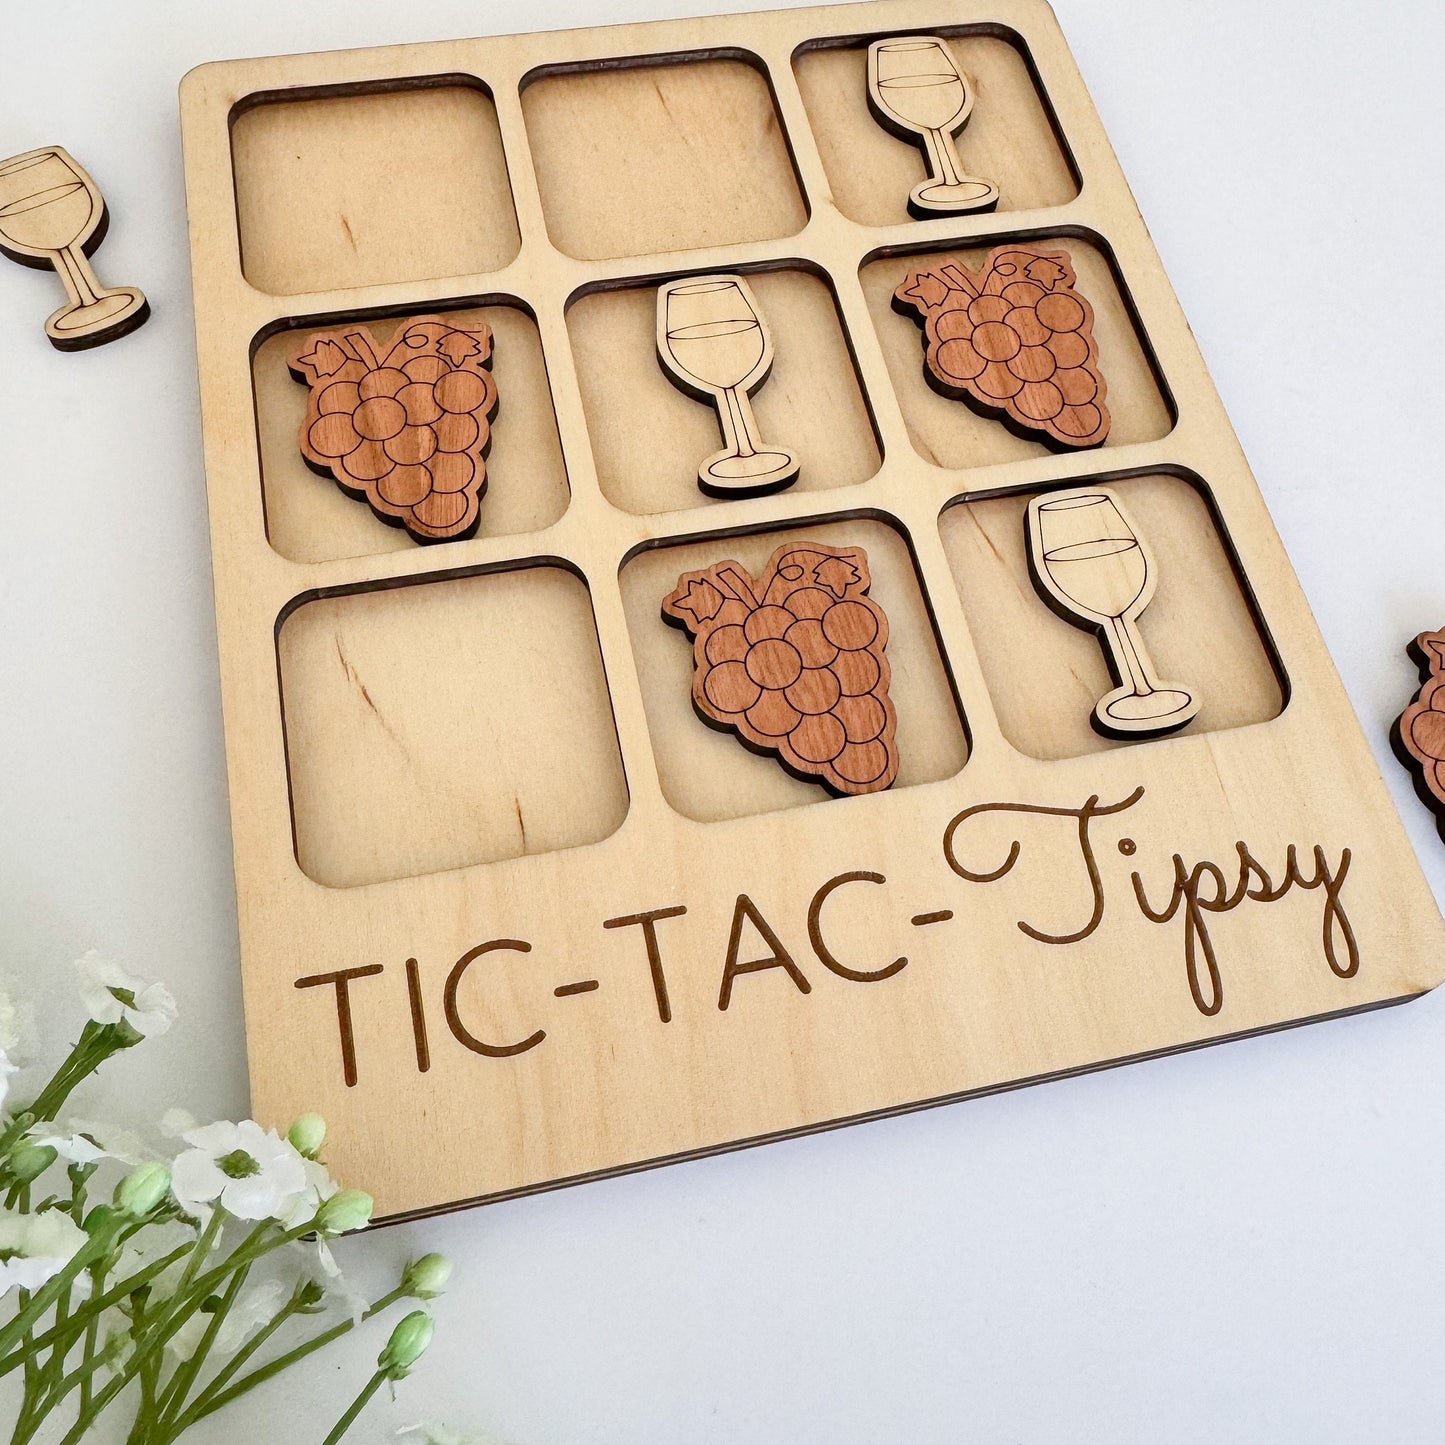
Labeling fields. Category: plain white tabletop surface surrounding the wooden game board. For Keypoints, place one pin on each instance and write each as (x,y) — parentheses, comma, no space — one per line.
(1241,1245)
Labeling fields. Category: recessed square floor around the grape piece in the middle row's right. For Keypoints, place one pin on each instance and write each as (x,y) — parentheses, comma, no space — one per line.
(950,433)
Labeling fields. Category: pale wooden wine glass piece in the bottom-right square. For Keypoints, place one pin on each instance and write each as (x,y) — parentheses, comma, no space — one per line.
(1092,566)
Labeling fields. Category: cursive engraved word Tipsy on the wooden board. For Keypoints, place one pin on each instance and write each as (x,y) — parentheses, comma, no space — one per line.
(1196,892)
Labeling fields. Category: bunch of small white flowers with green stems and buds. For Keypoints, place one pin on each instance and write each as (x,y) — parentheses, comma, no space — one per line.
(168,1295)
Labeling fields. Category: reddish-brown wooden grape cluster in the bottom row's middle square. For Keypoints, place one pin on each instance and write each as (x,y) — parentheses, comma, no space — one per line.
(794,663)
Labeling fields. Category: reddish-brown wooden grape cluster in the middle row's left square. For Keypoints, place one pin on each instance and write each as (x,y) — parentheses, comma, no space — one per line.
(405,430)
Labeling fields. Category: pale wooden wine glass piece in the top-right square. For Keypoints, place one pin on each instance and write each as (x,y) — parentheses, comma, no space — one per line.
(917,92)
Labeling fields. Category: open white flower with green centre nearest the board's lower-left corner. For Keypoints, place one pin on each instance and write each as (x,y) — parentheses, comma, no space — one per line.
(251,1171)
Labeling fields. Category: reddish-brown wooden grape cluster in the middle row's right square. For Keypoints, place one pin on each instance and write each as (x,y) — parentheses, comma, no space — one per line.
(1017,342)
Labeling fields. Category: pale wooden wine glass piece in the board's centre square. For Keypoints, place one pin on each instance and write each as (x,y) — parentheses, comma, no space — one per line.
(726,355)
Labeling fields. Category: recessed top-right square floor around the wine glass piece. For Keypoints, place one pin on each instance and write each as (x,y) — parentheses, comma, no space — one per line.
(1009,139)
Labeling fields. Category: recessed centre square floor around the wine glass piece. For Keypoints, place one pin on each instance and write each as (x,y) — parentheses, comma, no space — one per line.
(650,437)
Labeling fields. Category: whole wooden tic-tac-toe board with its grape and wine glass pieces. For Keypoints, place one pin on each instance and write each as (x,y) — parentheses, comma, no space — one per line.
(603,797)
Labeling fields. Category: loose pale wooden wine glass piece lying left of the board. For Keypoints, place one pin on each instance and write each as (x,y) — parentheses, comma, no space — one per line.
(53,215)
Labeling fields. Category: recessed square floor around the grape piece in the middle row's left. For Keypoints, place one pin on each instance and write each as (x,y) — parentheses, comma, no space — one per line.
(311,519)
